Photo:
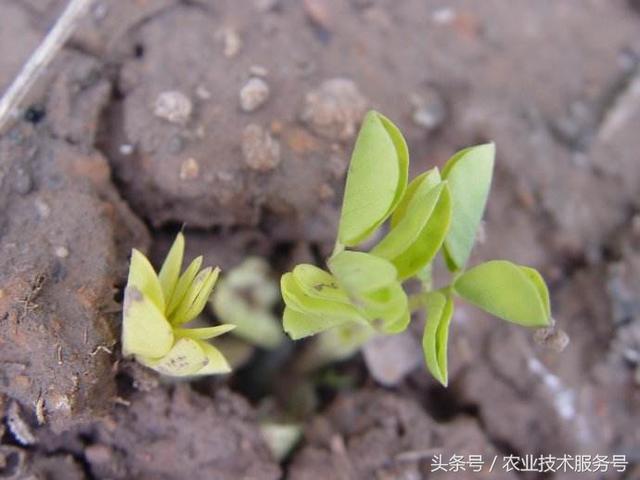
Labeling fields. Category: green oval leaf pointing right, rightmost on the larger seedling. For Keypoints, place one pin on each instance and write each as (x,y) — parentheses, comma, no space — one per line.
(509,291)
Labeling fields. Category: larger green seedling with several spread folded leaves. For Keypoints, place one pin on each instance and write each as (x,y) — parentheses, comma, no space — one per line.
(361,294)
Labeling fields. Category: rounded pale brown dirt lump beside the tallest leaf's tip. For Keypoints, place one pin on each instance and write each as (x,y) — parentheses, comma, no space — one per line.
(334,109)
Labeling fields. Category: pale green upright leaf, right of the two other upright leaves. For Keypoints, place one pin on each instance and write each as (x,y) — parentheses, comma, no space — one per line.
(469,174)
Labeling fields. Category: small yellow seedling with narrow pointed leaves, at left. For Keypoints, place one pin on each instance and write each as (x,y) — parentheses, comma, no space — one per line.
(156,309)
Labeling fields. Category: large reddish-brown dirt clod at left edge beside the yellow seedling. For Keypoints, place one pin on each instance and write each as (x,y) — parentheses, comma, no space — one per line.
(63,249)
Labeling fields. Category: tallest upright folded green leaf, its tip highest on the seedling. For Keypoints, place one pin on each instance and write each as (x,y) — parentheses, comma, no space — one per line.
(376,180)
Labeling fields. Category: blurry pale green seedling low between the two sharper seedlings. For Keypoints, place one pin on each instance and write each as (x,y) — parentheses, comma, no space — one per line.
(245,297)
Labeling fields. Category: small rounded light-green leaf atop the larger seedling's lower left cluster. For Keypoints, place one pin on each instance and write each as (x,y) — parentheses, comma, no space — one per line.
(361,273)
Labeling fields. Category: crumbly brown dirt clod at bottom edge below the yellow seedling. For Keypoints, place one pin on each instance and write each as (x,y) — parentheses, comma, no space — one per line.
(167,436)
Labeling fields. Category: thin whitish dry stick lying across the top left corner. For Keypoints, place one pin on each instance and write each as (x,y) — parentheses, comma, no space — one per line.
(41,58)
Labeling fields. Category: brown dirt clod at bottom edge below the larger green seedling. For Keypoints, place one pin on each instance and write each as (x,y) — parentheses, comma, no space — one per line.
(374,434)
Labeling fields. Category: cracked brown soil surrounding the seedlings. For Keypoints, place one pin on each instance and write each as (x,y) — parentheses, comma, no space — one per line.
(234,121)
